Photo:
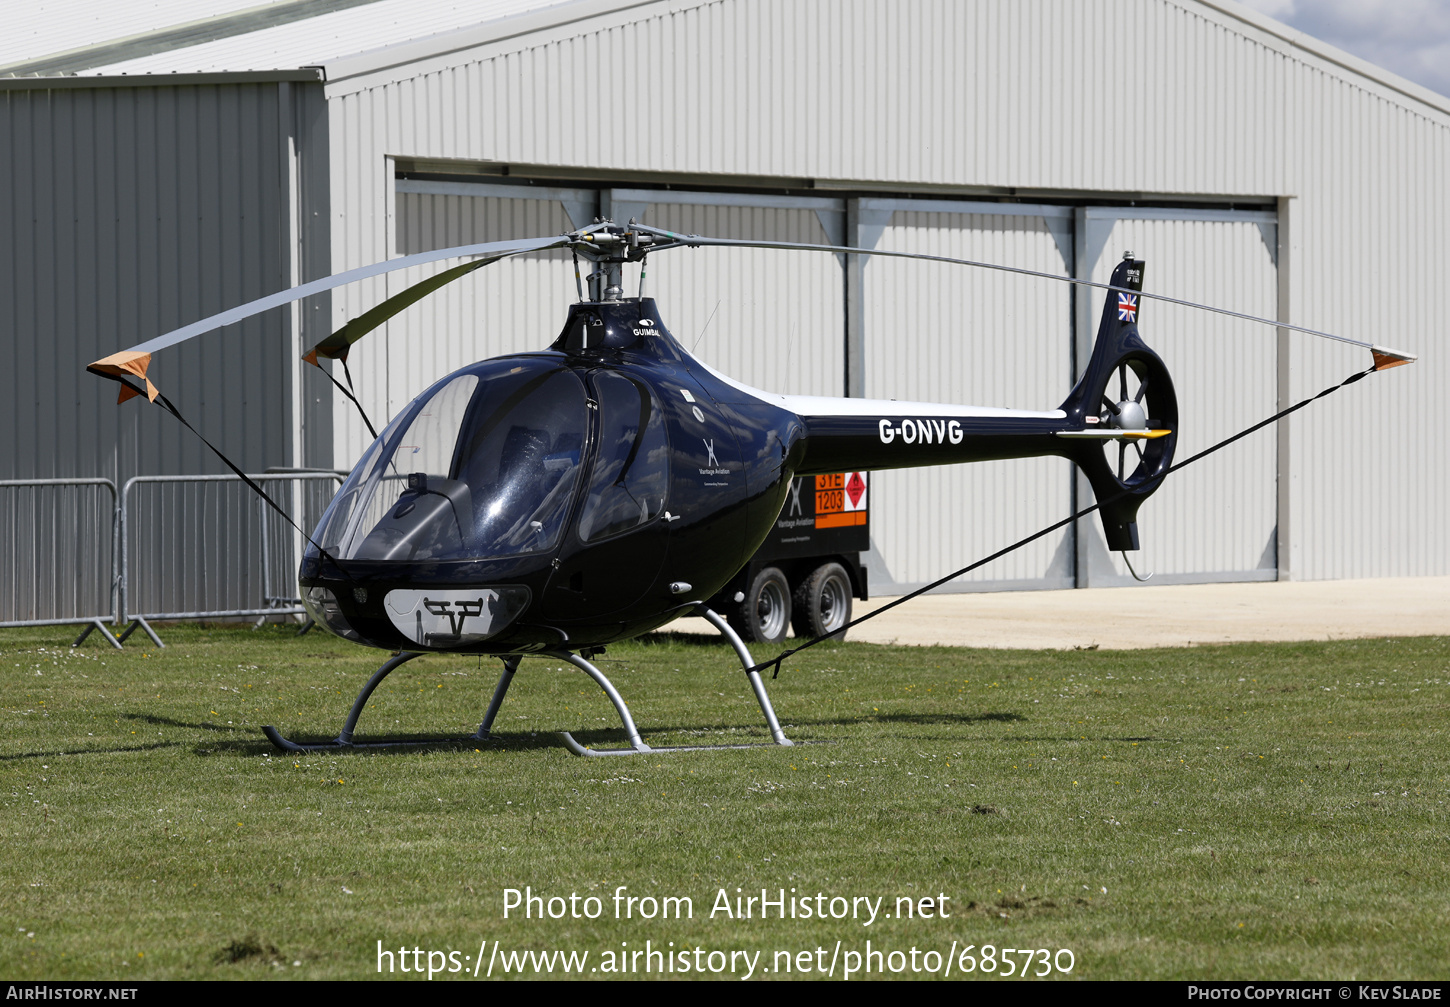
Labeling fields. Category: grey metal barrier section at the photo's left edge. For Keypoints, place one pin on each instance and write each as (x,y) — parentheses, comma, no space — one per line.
(59,554)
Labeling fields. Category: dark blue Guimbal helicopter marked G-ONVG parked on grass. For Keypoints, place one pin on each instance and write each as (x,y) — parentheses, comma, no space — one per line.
(555,503)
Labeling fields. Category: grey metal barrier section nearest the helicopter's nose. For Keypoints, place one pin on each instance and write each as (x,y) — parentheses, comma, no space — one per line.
(210,548)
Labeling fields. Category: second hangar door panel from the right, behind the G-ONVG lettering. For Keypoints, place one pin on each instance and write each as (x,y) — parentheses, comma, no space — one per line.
(942,333)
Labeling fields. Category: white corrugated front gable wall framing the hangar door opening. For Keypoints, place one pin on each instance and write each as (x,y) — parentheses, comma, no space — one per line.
(1072,96)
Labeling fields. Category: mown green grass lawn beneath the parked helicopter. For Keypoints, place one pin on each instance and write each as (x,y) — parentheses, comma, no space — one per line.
(1239,812)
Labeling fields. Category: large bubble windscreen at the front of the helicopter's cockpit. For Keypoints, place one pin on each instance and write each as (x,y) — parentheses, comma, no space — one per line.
(482,466)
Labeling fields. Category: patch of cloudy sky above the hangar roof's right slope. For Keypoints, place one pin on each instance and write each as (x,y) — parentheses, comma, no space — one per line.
(1409,37)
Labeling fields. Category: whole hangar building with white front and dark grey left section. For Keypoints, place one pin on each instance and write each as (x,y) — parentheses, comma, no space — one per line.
(165,165)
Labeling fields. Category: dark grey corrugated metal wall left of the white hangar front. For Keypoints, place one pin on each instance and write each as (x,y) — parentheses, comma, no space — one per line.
(127,213)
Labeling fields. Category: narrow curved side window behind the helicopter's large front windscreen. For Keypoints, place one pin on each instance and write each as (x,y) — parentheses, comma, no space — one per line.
(631,471)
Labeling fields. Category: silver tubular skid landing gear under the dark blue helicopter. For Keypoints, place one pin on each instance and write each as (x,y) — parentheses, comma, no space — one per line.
(511,667)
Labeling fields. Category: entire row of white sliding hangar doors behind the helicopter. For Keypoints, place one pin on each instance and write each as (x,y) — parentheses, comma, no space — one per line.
(926,332)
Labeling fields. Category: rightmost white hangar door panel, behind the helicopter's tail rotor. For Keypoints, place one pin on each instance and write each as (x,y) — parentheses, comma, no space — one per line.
(1214,520)
